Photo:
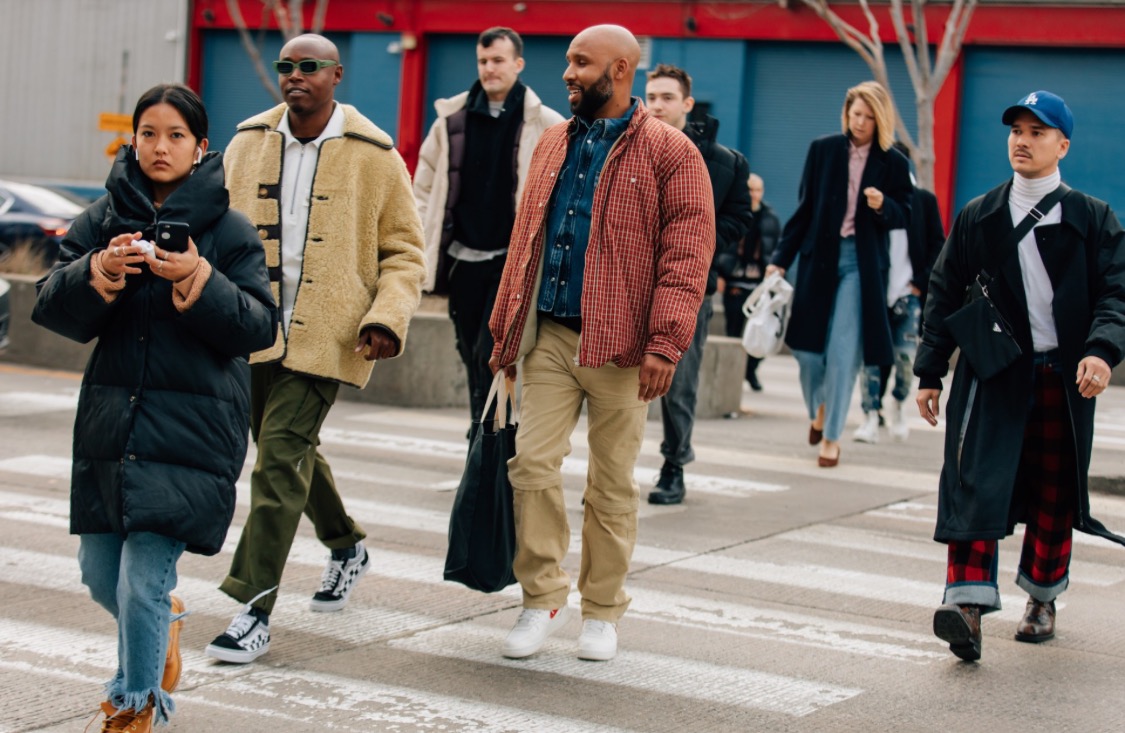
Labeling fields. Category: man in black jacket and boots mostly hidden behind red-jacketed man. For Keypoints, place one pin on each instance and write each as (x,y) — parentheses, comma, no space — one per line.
(669,94)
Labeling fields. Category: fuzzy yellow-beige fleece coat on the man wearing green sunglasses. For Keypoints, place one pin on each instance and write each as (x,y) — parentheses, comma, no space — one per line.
(363,254)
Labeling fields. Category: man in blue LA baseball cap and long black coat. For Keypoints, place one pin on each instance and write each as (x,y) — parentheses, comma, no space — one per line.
(1018,445)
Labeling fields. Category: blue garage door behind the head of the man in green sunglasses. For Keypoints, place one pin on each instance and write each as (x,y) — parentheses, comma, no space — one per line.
(233,92)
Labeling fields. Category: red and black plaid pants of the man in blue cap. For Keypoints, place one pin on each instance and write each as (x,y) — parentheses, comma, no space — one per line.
(1045,493)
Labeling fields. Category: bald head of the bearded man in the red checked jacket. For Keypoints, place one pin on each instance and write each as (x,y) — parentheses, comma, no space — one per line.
(601,66)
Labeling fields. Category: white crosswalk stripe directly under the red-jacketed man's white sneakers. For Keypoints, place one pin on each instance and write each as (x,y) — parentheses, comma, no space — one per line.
(719,685)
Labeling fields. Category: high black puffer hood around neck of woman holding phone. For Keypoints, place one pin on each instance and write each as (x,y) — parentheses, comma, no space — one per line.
(201,201)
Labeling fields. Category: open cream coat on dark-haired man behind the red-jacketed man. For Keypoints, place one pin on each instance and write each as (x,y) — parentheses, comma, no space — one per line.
(431,178)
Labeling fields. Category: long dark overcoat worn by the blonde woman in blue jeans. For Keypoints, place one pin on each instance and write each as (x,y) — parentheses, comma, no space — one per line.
(814,232)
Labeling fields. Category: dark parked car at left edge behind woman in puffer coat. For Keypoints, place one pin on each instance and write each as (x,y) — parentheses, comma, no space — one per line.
(34,215)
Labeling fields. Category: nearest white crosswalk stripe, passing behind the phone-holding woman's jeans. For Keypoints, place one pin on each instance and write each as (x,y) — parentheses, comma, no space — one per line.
(292,695)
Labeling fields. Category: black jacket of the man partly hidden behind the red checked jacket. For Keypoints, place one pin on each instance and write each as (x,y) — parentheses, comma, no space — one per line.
(728,170)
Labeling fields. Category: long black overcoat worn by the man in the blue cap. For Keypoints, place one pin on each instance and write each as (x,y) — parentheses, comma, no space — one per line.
(1085,258)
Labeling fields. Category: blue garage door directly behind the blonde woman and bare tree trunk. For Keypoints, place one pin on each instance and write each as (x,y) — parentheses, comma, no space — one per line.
(794,94)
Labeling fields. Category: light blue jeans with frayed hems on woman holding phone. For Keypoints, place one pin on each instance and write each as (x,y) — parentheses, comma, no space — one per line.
(132,577)
